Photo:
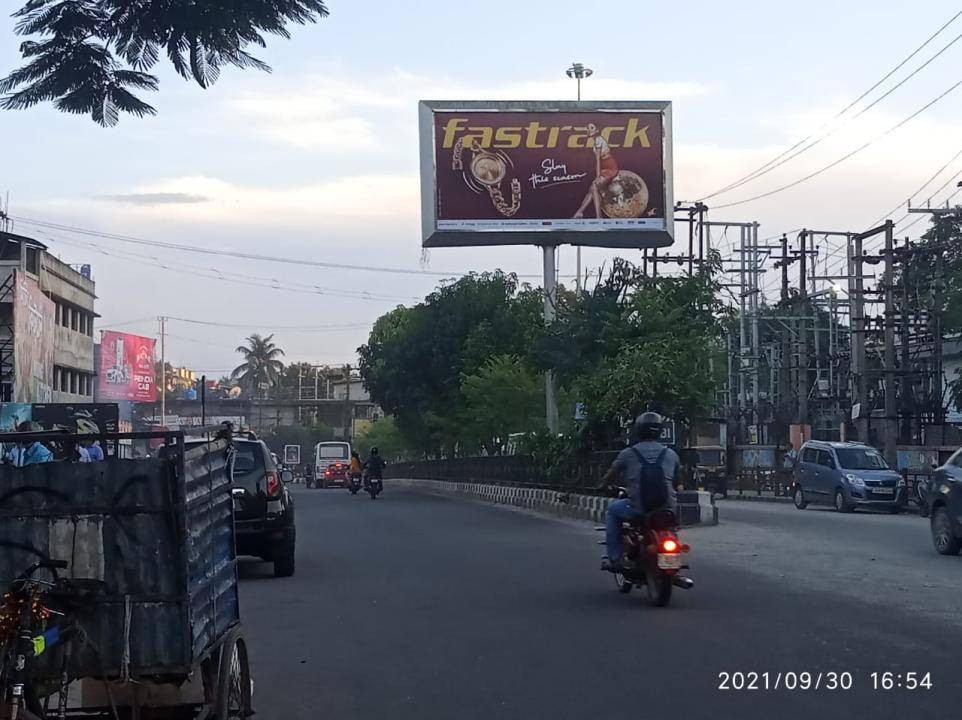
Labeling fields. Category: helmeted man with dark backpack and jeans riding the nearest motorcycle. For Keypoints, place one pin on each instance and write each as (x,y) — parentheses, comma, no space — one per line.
(640,467)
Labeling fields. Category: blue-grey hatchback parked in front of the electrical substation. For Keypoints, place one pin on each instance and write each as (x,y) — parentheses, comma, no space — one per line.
(846,476)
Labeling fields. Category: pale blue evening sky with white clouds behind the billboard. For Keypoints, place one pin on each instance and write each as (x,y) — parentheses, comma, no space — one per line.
(318,160)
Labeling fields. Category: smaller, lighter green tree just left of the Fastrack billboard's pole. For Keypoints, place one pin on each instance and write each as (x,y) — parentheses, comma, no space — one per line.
(502,397)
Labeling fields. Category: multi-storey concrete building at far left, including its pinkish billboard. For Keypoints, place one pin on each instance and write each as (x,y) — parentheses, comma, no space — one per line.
(46,325)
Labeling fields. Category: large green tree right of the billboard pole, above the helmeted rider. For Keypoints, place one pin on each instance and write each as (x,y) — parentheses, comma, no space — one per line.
(638,342)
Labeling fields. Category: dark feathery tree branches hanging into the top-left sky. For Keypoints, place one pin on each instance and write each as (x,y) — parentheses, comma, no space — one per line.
(91,55)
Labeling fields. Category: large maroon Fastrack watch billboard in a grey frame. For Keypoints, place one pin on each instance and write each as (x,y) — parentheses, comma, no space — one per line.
(501,173)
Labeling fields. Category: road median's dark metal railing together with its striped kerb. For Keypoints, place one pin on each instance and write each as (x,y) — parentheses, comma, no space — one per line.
(514,480)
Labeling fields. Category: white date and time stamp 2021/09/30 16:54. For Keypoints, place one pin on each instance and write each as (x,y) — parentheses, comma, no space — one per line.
(822,680)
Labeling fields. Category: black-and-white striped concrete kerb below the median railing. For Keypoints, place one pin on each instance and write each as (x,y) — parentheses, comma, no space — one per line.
(695,508)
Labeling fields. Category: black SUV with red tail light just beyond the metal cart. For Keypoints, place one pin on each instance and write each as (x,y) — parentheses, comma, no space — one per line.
(263,507)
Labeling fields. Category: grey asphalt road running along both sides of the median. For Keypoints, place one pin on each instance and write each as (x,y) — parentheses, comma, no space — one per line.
(418,606)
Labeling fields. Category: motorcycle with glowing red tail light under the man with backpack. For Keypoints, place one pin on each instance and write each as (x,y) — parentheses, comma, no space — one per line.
(652,556)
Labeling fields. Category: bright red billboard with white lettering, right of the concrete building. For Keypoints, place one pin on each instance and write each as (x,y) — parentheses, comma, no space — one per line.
(127,370)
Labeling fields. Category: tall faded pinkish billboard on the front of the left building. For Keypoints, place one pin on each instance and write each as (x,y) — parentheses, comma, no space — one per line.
(33,335)
